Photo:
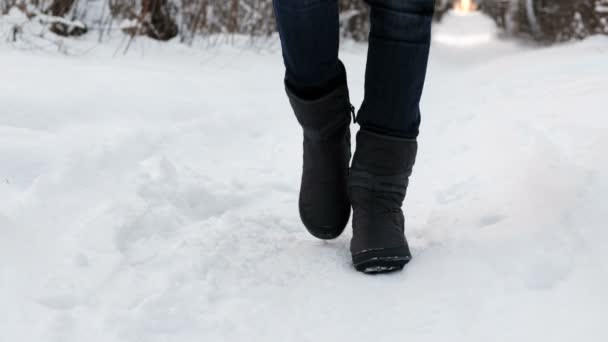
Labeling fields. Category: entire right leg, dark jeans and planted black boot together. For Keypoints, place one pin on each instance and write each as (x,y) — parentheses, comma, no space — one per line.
(386,144)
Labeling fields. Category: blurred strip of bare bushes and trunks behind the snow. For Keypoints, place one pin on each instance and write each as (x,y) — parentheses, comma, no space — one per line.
(542,21)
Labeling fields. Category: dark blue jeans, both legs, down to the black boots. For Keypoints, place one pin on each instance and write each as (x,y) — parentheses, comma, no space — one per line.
(396,63)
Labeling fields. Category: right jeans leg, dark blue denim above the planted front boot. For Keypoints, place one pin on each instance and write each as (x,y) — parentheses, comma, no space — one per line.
(396,66)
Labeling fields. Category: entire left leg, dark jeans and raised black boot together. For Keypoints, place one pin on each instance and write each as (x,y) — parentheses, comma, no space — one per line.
(315,81)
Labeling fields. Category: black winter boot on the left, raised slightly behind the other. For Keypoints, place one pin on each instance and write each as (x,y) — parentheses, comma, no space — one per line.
(323,203)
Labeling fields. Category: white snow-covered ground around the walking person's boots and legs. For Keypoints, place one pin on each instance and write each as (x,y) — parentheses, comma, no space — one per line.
(152,197)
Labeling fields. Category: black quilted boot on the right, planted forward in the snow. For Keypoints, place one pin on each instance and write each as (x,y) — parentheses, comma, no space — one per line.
(378,182)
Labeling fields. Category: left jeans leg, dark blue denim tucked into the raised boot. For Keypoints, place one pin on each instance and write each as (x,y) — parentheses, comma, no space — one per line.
(309,31)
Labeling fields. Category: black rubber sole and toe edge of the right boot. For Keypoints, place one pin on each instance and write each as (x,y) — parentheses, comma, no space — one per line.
(383,260)
